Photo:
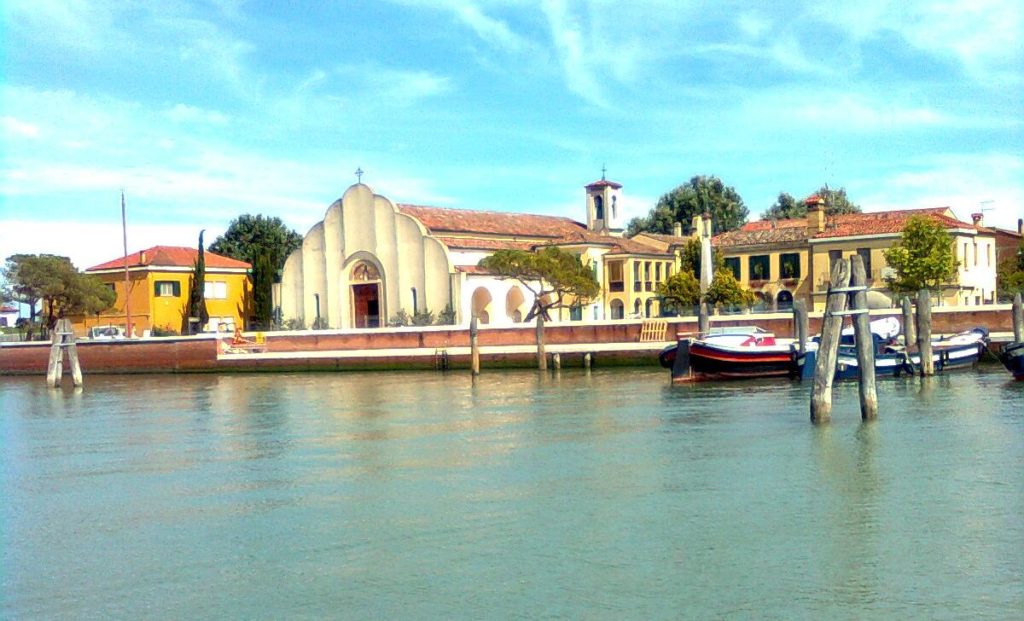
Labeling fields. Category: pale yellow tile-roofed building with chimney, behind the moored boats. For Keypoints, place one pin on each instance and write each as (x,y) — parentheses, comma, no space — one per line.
(783,261)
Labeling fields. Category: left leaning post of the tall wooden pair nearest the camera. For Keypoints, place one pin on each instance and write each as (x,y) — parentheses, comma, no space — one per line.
(832,325)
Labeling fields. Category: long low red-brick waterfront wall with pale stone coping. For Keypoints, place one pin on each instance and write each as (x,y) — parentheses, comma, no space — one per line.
(177,355)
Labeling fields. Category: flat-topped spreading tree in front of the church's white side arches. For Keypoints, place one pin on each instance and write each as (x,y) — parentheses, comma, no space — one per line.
(557,279)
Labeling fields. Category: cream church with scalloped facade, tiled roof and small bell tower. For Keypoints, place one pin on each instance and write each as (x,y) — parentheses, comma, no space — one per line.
(370,261)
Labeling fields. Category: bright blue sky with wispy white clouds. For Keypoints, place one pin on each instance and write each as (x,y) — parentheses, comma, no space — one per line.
(202,112)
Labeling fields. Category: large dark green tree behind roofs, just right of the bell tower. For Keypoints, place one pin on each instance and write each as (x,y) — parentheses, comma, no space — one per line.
(700,195)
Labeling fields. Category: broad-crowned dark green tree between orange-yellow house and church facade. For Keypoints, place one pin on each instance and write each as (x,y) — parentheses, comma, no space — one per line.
(250,237)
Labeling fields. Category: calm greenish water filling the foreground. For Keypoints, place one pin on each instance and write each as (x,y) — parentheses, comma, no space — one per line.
(611,495)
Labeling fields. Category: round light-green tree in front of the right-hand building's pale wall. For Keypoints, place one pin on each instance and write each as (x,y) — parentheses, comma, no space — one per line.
(923,258)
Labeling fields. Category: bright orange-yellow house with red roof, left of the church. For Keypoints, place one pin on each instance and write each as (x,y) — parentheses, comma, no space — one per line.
(158,292)
